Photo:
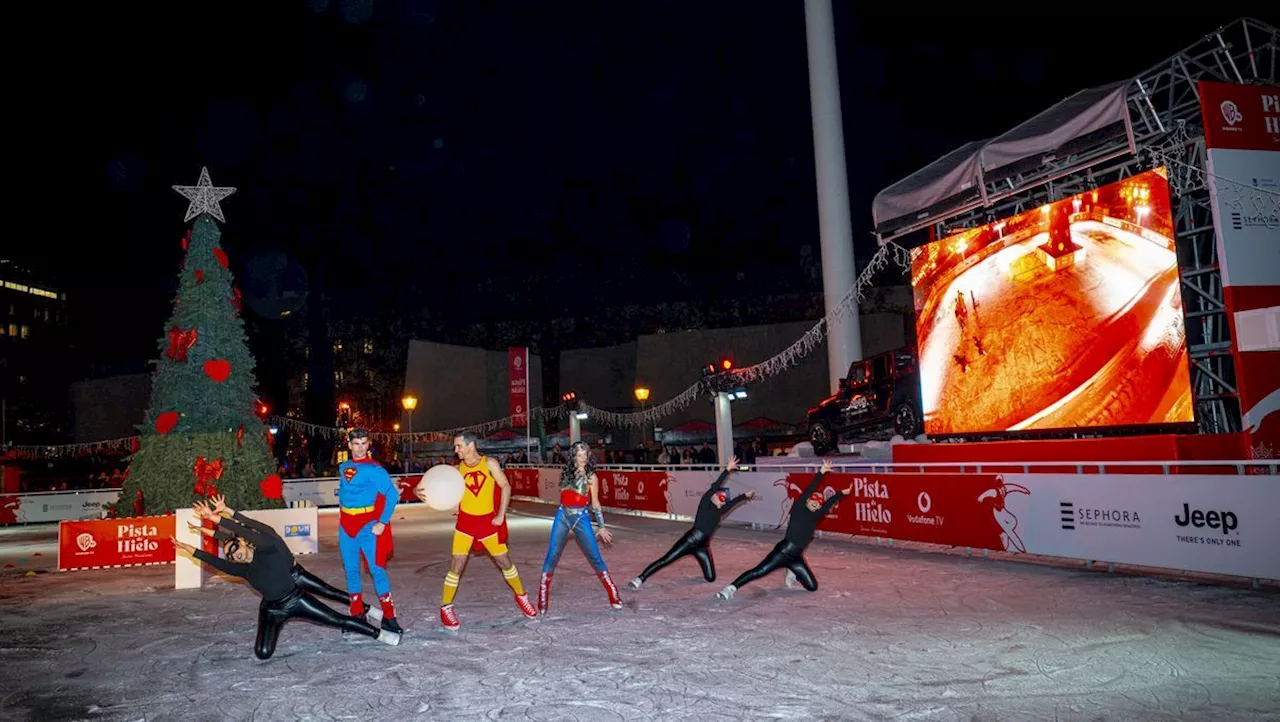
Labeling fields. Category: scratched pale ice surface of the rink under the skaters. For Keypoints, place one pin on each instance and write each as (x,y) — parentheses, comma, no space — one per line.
(892,634)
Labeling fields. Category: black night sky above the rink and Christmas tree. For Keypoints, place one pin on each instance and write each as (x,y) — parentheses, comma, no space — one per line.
(440,154)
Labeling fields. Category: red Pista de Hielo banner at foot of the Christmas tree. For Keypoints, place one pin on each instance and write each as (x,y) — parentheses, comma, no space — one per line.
(116,542)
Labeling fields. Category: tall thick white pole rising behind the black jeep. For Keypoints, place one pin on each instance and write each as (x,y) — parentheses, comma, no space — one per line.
(844,336)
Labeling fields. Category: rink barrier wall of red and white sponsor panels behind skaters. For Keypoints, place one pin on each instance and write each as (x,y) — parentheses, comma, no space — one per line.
(1197,517)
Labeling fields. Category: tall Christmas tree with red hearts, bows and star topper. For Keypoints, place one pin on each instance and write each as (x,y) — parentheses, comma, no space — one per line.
(202,435)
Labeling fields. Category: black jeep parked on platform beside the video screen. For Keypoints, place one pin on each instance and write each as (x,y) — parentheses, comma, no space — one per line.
(881,391)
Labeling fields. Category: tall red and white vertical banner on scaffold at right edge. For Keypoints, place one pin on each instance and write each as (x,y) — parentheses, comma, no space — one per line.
(1242,140)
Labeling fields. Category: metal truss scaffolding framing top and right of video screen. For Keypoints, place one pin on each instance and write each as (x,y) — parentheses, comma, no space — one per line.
(1167,130)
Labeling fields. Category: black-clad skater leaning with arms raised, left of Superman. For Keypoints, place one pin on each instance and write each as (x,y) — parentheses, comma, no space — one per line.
(258,555)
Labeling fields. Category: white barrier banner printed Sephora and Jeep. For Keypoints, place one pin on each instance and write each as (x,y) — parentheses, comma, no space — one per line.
(1197,523)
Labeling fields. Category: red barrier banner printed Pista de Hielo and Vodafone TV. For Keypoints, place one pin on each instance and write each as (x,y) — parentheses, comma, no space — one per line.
(961,510)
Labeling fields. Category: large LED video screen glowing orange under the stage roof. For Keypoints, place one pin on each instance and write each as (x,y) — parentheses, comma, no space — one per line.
(1066,317)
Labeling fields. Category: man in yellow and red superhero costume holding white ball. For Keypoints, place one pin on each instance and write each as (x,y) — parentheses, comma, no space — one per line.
(482,527)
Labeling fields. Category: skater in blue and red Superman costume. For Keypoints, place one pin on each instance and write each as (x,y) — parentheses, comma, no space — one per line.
(367,499)
